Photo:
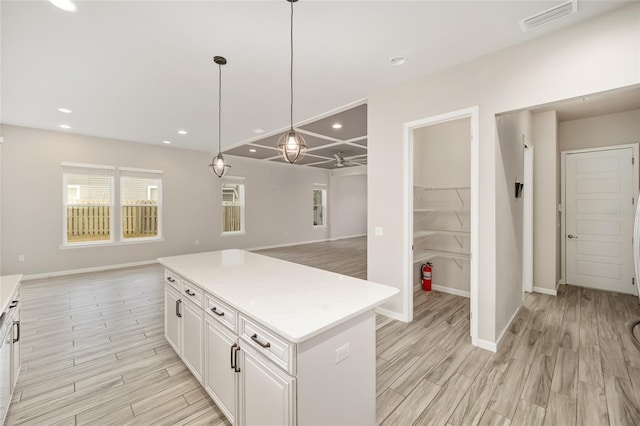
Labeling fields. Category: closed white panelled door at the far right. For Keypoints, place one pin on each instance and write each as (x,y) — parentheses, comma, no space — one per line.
(599,191)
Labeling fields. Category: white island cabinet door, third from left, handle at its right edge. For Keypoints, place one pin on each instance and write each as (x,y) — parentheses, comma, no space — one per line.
(221,380)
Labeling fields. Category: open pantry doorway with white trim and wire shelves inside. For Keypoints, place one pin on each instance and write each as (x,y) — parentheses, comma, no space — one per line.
(441,194)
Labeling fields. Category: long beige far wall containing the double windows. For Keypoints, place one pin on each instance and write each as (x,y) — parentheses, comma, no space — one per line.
(278,201)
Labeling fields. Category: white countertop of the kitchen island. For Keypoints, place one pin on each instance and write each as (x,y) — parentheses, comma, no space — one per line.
(295,301)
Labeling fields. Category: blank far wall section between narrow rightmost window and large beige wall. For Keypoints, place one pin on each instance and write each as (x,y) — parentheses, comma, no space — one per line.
(348,203)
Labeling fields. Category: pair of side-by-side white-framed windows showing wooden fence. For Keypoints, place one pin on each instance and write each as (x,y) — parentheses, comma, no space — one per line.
(90,216)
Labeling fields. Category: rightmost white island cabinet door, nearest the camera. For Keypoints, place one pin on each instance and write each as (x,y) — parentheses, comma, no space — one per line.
(266,393)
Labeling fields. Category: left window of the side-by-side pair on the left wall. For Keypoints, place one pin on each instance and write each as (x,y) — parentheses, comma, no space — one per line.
(87,201)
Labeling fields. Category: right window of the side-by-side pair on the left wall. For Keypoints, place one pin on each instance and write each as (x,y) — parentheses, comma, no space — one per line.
(140,201)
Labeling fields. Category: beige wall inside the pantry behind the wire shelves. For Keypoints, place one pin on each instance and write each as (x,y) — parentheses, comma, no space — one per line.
(442,159)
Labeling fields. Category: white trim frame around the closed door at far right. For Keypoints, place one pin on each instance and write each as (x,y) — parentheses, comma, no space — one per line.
(563,195)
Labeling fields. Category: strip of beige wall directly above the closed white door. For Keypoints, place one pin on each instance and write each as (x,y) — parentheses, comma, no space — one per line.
(603,130)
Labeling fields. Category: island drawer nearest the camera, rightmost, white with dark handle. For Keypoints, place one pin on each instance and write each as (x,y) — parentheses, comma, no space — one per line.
(267,343)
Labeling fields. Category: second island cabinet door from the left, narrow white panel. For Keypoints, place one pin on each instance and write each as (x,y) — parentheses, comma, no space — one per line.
(192,331)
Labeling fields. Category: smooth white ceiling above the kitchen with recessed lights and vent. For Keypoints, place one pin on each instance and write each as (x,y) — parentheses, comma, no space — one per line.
(141,71)
